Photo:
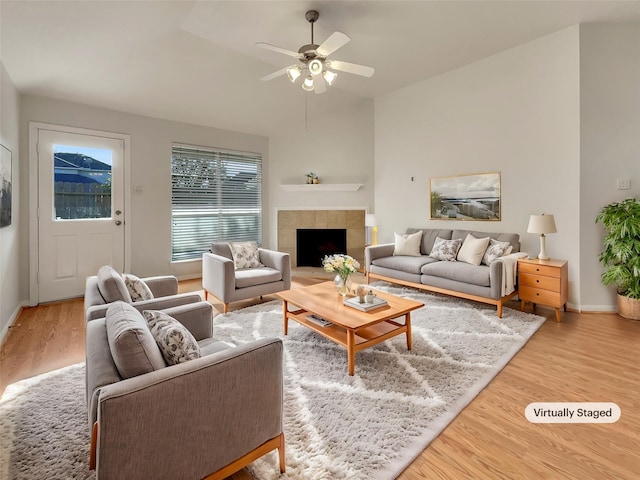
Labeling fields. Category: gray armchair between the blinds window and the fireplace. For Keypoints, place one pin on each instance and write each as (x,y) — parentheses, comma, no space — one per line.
(221,280)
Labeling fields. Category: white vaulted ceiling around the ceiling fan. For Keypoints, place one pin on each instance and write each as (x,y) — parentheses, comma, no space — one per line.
(196,61)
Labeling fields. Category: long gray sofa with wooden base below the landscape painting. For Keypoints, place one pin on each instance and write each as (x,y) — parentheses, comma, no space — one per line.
(482,283)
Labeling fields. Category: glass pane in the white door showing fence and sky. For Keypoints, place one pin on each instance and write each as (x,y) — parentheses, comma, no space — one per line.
(82,182)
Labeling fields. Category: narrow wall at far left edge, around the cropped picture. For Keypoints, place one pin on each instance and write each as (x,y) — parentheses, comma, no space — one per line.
(10,294)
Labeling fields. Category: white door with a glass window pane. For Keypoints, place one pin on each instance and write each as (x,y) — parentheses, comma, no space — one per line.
(80,210)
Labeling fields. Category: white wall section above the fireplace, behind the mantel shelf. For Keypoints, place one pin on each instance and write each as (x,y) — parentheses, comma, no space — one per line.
(337,146)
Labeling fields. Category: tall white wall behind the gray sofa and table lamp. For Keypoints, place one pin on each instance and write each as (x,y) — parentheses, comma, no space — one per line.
(516,113)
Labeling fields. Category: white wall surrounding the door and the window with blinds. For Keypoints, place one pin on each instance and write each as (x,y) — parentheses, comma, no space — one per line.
(151,139)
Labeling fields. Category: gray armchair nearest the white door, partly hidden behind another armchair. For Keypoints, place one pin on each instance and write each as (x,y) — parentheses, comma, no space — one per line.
(108,286)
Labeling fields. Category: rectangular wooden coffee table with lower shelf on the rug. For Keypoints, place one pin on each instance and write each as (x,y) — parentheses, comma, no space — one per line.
(345,325)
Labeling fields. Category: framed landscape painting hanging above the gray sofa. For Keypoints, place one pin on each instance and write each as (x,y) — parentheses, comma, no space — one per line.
(466,197)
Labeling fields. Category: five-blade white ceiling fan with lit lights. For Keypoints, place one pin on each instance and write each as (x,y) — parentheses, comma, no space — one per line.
(314,66)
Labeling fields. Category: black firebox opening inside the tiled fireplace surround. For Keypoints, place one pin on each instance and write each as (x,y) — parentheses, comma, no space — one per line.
(312,244)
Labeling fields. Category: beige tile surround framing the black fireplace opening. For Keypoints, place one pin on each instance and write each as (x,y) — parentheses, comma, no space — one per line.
(352,220)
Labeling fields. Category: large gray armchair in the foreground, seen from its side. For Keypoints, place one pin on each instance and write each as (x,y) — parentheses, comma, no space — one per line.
(209,415)
